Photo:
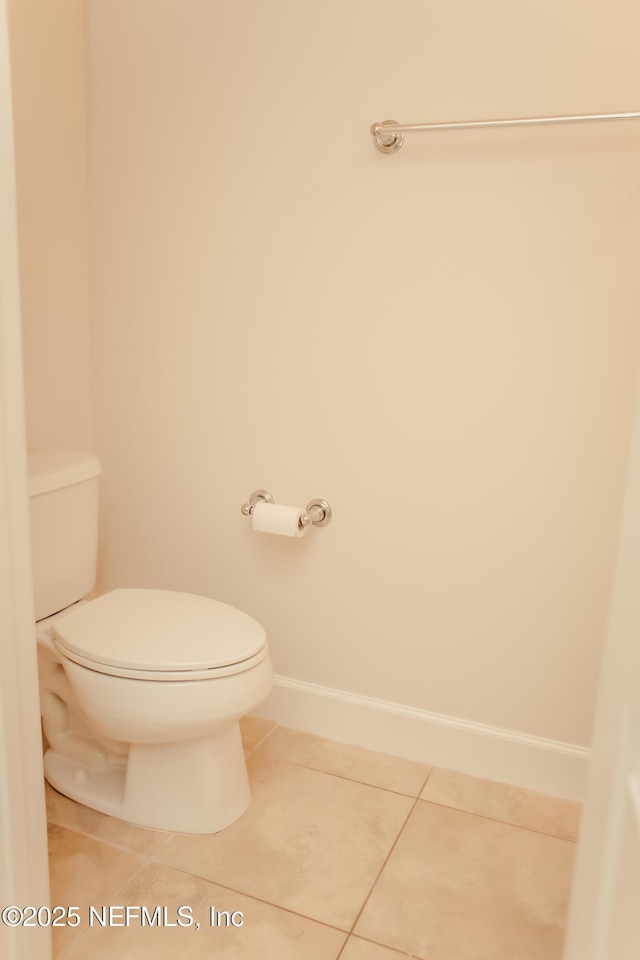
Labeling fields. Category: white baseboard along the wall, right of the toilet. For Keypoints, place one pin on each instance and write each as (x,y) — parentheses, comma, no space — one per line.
(507,756)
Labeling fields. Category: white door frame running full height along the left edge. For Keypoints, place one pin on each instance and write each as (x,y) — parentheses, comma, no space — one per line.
(24,873)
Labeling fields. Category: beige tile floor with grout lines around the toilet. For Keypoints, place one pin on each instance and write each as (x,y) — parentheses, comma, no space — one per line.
(343,853)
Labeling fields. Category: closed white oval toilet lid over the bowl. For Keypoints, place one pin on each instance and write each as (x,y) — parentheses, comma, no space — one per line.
(159,630)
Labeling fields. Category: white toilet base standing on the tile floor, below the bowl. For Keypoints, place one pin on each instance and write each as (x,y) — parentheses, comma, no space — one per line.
(193,786)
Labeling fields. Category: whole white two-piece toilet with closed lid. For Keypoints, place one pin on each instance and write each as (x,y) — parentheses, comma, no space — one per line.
(140,690)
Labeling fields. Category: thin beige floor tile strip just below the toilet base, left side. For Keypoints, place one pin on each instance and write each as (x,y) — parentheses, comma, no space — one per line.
(75,816)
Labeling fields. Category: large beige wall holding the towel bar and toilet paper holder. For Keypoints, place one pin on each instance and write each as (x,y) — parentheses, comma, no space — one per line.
(441,342)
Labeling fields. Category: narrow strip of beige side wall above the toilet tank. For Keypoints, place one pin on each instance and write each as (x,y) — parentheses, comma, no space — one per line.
(49,96)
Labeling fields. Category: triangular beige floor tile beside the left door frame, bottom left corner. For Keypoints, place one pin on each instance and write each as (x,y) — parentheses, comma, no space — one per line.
(84,872)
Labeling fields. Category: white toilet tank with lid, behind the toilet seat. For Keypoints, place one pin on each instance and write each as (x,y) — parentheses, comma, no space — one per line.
(63,500)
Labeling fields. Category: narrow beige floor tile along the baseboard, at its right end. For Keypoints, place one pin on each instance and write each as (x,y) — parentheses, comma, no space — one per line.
(525,808)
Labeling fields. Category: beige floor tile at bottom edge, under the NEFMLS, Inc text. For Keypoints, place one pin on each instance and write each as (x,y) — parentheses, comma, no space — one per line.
(260,931)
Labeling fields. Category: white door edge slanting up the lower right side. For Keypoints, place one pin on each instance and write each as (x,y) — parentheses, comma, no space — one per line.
(614,768)
